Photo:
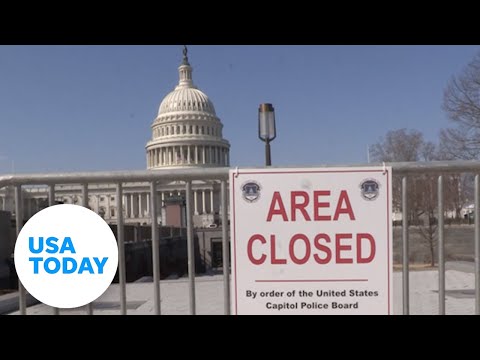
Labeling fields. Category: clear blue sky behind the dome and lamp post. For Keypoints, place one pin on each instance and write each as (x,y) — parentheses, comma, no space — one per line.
(89,108)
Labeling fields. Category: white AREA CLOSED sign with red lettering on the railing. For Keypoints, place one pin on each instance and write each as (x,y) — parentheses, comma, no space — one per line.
(311,241)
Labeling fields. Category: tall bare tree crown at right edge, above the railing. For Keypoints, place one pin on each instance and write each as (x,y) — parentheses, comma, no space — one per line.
(461,102)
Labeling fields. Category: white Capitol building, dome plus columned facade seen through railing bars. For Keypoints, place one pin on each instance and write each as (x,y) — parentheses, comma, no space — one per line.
(187,133)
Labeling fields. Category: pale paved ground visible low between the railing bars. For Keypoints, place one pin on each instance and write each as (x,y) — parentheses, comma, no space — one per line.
(209,295)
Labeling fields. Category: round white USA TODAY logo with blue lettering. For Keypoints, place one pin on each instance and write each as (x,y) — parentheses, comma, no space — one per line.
(66,256)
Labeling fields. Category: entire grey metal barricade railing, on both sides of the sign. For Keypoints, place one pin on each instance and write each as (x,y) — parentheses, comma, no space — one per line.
(404,170)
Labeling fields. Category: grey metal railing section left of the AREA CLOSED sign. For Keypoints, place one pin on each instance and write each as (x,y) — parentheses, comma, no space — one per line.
(121,178)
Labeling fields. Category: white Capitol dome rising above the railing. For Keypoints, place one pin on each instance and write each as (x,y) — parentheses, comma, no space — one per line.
(187,131)
